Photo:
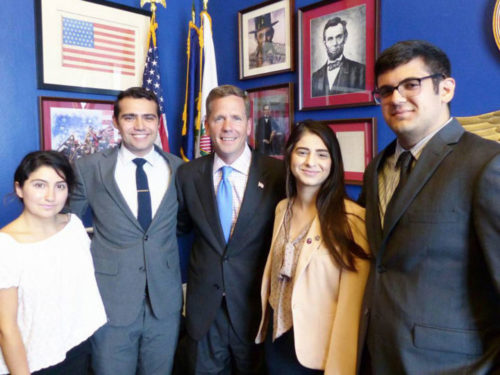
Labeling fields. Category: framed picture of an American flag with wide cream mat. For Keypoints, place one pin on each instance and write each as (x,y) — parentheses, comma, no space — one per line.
(90,46)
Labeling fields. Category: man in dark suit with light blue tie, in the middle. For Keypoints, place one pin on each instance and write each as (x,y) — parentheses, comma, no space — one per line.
(229,252)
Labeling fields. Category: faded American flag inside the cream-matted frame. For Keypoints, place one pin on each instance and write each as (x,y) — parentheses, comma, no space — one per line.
(98,47)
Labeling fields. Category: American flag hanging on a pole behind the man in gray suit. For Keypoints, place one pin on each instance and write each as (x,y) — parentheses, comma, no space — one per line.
(151,81)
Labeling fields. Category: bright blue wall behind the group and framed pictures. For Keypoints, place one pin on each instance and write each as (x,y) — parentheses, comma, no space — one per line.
(461,27)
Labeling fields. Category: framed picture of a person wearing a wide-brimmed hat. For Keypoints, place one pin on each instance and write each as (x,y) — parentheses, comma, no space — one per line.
(266,38)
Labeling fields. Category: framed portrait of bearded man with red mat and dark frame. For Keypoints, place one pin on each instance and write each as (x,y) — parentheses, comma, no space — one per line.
(338,42)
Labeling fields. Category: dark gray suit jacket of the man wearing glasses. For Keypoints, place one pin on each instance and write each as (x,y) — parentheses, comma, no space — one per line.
(432,303)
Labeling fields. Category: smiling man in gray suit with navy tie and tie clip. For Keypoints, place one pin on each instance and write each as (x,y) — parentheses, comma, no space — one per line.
(131,192)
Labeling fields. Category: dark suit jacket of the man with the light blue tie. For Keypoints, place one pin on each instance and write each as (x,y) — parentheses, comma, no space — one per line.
(236,269)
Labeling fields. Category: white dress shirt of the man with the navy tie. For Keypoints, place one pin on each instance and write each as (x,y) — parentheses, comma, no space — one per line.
(158,173)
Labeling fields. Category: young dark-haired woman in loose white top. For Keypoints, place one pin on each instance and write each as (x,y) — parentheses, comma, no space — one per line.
(49,301)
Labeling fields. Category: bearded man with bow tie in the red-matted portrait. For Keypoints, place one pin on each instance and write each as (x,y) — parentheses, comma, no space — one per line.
(339,75)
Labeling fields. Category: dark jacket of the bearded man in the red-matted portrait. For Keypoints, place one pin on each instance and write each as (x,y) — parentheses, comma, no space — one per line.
(351,78)
